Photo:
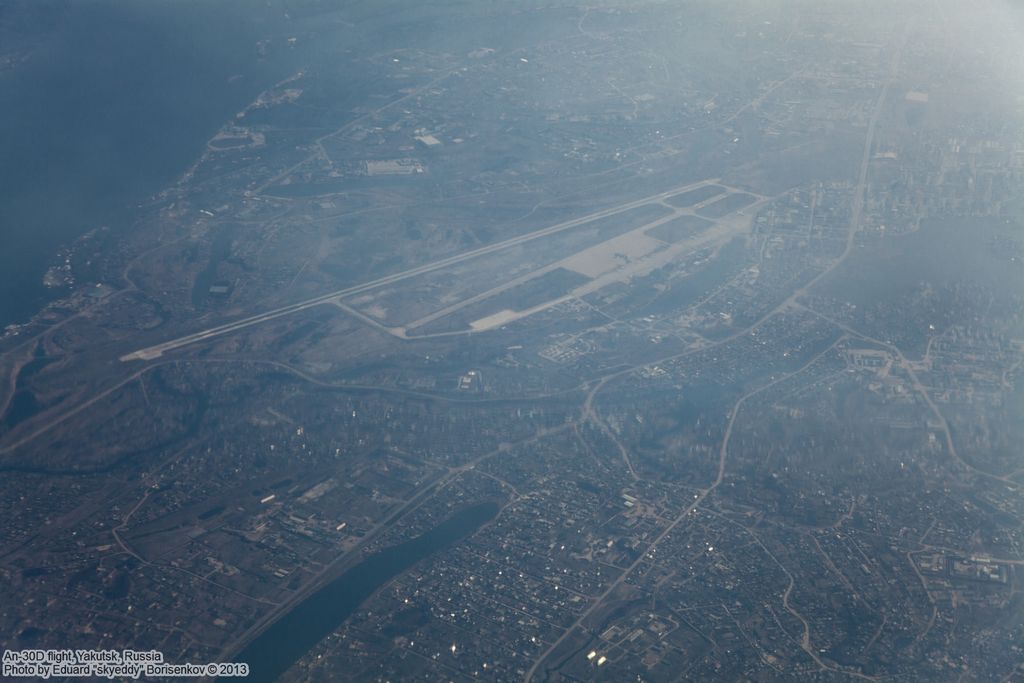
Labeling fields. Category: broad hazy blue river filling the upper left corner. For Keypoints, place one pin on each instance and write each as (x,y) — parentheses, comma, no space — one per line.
(113,103)
